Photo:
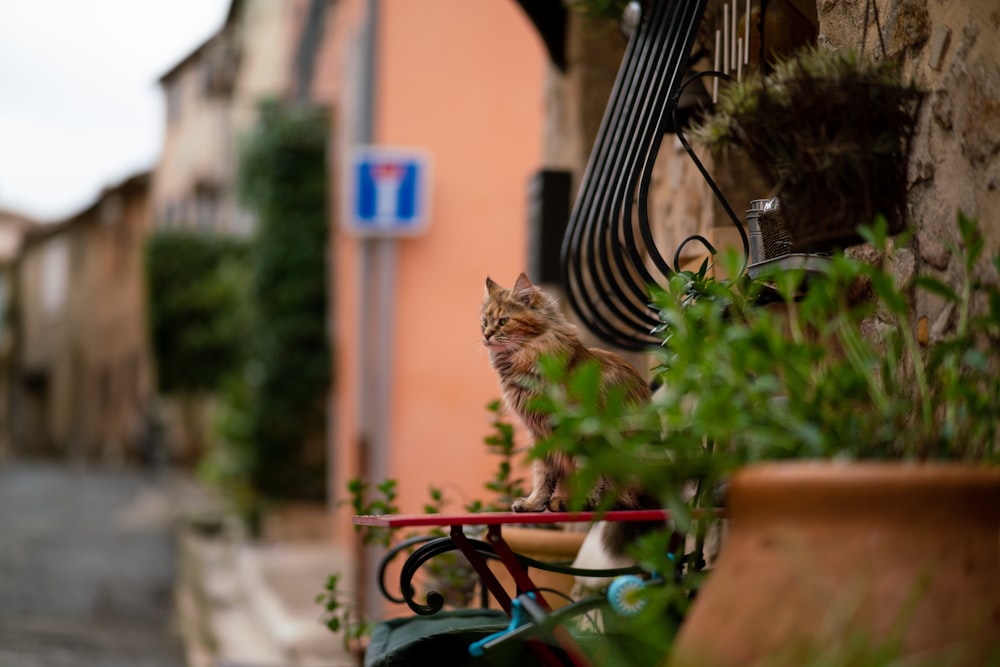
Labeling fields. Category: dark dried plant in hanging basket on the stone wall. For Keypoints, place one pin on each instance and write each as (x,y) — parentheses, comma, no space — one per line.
(833,133)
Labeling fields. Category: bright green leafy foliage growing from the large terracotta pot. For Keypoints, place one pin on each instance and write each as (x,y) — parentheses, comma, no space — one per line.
(834,369)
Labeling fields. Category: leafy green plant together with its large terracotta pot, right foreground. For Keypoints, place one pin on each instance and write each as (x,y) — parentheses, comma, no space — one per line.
(837,391)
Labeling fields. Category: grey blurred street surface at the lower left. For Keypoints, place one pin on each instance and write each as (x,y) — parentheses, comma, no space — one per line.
(87,567)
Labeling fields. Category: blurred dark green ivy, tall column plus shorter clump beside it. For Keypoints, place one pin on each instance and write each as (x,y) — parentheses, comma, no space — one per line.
(246,320)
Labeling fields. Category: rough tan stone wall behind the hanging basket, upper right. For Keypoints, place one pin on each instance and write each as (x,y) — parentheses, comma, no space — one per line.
(950,49)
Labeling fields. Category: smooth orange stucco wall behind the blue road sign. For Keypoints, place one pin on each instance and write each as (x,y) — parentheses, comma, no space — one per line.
(462,80)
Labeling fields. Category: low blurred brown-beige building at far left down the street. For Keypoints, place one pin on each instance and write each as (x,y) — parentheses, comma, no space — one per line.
(81,382)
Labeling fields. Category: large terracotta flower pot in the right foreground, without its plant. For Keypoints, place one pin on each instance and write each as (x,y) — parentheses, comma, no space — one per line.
(851,561)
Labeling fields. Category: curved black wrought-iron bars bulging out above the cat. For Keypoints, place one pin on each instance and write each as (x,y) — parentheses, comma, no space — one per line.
(610,256)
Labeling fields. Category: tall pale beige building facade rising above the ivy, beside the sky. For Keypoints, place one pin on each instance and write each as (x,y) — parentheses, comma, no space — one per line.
(211,98)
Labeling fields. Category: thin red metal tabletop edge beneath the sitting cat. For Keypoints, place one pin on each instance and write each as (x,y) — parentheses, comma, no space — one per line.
(494,518)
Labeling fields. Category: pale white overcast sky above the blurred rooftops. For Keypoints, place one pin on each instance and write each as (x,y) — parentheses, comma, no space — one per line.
(80,104)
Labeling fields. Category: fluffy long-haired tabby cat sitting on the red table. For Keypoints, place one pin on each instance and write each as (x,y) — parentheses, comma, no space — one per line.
(520,326)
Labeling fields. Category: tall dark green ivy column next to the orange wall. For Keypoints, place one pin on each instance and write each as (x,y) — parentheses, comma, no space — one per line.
(278,414)
